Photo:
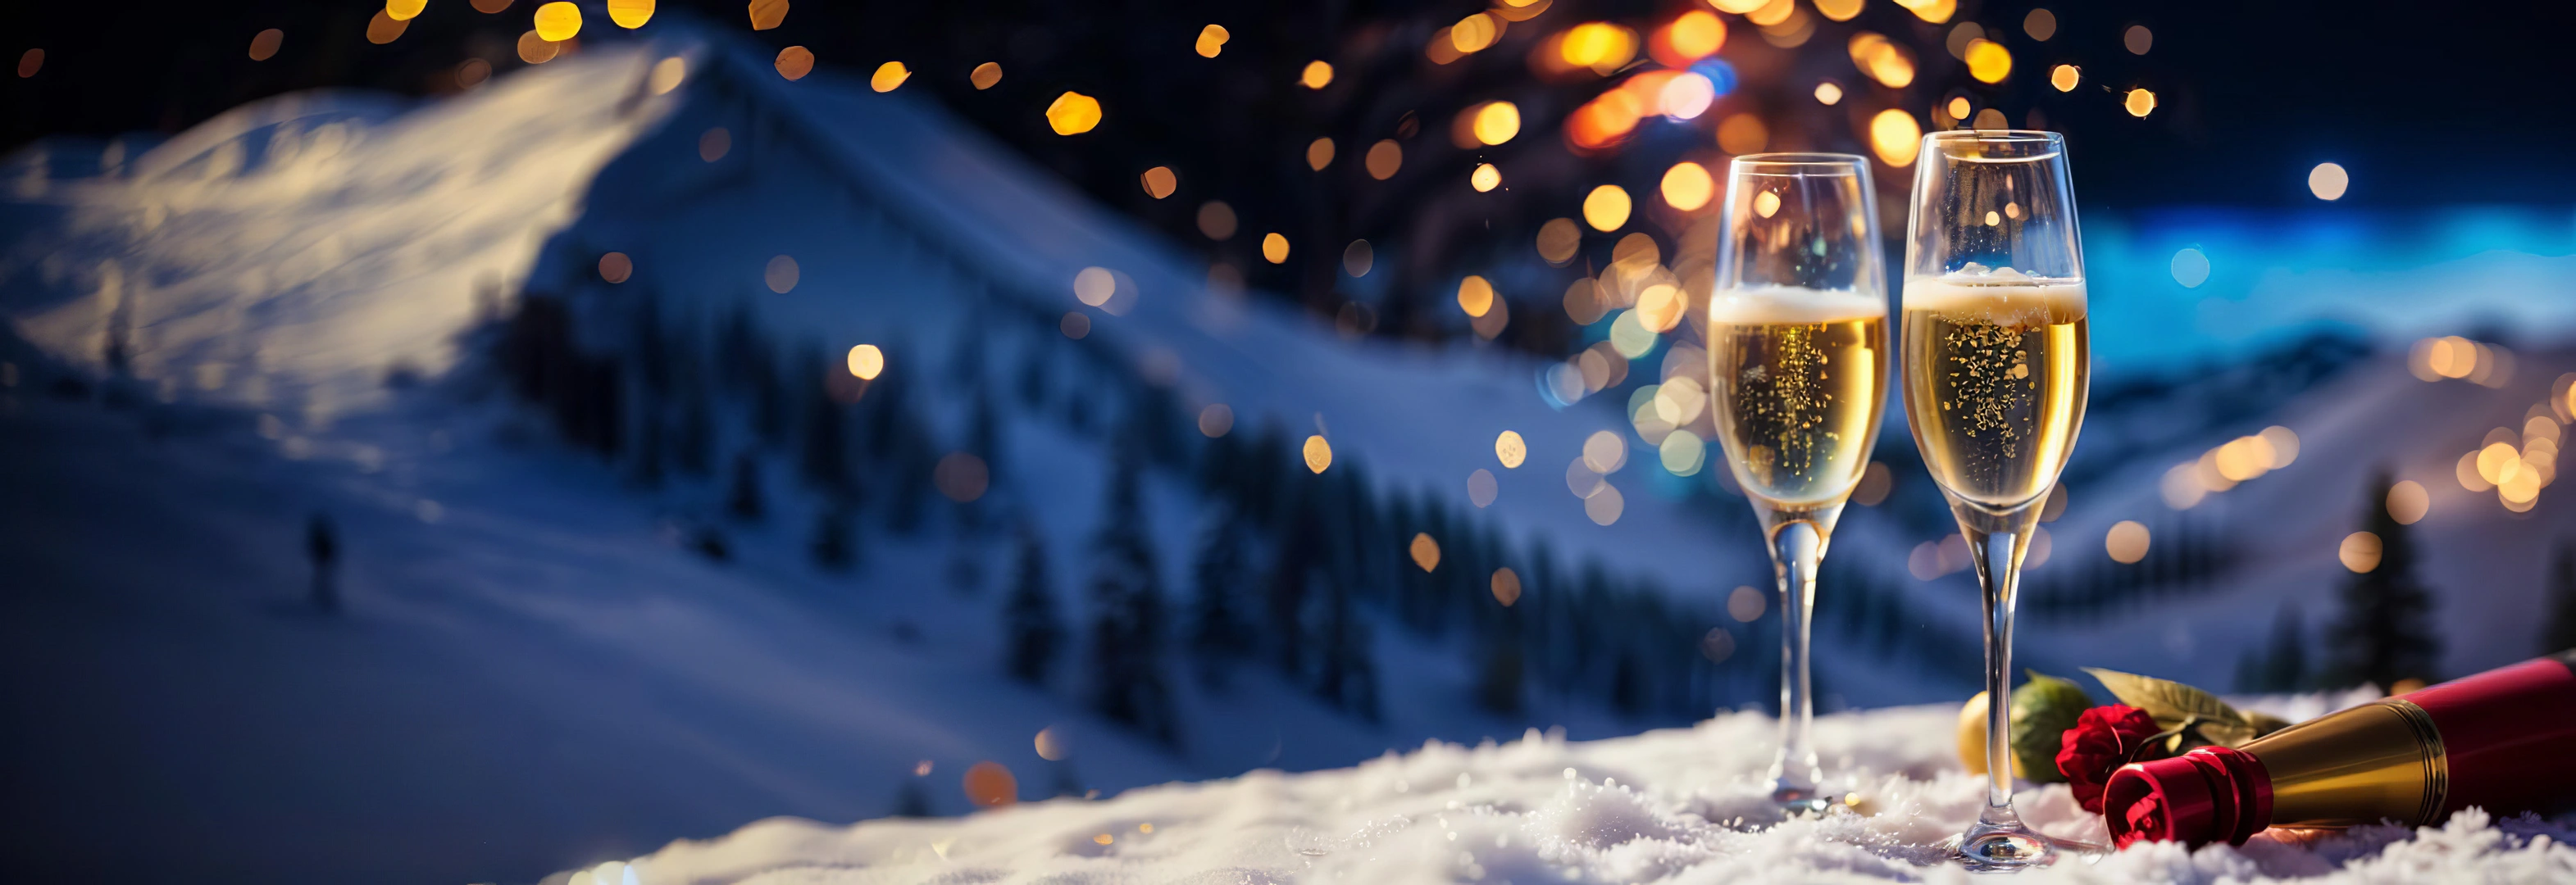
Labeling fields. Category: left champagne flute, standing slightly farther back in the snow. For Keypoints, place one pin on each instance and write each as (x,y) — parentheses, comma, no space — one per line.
(1799,377)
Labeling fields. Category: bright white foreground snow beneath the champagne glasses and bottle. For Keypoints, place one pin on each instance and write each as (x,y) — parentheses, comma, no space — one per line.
(1668,807)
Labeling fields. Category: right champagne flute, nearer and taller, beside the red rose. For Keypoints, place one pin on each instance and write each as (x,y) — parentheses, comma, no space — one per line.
(1995,390)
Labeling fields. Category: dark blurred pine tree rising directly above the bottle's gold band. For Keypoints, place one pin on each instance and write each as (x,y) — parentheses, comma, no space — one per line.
(2387,632)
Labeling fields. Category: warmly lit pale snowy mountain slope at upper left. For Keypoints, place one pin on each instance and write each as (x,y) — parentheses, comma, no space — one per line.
(292,251)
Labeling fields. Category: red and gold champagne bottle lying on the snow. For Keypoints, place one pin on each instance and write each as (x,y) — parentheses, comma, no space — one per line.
(2503,740)
